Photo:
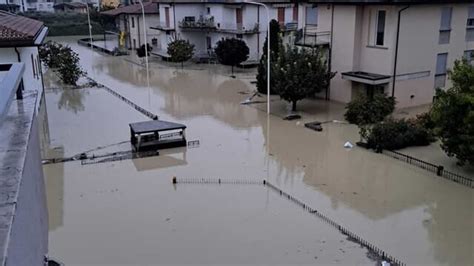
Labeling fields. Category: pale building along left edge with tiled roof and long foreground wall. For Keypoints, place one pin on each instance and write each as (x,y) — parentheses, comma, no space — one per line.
(24,234)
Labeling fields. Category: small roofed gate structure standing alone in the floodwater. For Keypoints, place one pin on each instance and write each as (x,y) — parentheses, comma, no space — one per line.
(157,134)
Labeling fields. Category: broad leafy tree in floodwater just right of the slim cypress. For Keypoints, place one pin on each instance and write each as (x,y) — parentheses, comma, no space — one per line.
(299,73)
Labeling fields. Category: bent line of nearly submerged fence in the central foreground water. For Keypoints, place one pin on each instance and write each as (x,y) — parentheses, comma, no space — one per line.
(374,250)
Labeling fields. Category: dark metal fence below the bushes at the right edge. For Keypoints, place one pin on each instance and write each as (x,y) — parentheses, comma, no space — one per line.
(437,169)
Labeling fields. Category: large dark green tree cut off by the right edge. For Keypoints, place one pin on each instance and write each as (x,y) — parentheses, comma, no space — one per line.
(453,114)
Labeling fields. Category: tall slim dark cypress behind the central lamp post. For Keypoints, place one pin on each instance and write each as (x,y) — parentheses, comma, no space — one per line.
(275,43)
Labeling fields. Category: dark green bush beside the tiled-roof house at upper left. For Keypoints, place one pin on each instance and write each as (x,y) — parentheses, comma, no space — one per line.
(63,60)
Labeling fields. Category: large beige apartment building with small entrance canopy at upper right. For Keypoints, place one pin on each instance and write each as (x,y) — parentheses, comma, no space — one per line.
(403,48)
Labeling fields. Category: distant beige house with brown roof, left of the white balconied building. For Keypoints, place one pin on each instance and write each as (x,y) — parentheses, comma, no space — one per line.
(129,21)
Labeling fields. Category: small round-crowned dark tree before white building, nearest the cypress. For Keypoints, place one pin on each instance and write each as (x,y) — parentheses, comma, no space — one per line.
(231,52)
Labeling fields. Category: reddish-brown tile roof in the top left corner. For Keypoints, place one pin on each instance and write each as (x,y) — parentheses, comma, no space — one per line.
(15,28)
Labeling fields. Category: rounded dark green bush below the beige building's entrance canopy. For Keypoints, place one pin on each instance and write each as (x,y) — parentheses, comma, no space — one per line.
(365,111)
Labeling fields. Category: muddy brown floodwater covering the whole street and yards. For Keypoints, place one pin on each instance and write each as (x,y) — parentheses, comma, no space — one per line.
(129,213)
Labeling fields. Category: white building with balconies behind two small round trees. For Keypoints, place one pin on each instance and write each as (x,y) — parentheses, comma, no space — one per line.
(204,23)
